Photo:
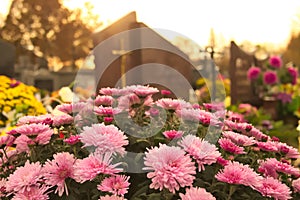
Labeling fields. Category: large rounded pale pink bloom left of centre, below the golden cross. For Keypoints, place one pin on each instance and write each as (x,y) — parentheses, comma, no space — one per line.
(105,138)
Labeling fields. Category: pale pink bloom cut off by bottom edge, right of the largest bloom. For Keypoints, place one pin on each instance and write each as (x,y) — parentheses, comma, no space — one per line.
(196,193)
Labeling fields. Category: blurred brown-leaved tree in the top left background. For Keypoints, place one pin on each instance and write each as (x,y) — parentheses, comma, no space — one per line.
(49,30)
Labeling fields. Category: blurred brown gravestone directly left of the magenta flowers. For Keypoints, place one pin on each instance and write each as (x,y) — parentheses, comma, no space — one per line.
(241,90)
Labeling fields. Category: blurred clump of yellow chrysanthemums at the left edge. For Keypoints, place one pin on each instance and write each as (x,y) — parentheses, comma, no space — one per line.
(16,100)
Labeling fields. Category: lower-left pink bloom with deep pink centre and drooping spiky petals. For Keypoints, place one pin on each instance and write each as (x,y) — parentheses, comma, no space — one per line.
(58,170)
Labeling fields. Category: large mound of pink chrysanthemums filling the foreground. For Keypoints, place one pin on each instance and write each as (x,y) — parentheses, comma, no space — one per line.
(123,144)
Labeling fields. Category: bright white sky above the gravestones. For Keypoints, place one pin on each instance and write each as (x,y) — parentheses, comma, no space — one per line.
(258,21)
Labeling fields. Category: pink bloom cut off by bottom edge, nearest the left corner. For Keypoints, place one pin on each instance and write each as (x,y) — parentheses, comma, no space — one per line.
(35,193)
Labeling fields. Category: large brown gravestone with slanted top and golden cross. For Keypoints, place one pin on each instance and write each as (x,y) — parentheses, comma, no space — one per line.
(131,47)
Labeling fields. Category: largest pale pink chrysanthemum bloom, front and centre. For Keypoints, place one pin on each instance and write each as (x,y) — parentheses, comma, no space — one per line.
(170,168)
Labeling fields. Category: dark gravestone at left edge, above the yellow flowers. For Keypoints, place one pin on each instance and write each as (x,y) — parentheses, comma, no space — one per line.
(7,58)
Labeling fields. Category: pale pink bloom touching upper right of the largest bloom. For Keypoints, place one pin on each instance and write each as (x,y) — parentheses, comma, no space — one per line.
(201,150)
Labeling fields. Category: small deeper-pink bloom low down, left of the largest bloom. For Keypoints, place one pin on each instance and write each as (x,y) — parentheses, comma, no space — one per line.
(117,185)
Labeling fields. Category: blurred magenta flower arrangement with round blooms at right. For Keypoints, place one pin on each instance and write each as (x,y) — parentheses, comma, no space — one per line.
(273,81)
